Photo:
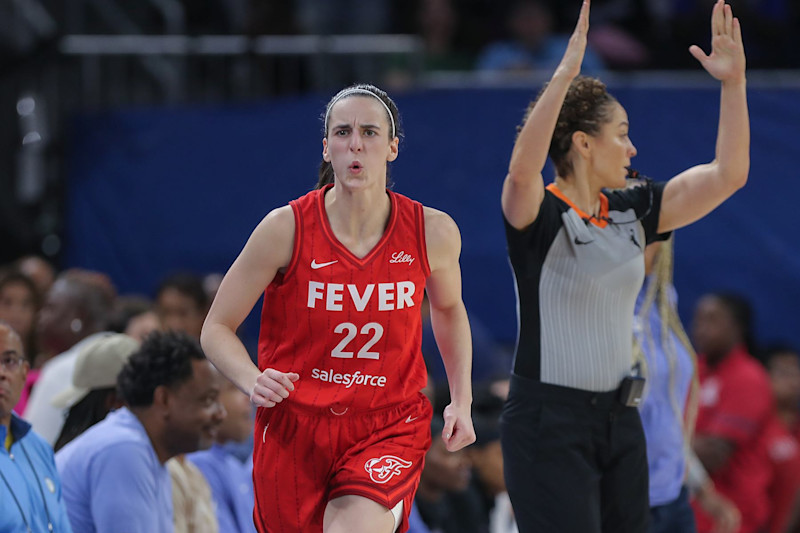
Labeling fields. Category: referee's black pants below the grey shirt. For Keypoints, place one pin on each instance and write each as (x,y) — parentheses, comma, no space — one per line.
(574,460)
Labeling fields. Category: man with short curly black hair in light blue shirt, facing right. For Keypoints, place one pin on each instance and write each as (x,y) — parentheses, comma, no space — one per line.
(171,396)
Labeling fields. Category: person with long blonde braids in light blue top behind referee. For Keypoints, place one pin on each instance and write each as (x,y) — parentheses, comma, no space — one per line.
(669,406)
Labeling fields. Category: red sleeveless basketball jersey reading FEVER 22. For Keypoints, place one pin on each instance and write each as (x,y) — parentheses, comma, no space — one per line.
(350,327)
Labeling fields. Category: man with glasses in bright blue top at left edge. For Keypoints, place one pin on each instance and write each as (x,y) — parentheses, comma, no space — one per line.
(30,492)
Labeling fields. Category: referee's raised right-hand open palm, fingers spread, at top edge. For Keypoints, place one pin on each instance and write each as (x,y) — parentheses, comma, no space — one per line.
(727,60)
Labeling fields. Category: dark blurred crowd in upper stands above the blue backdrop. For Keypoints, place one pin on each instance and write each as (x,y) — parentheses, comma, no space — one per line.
(518,35)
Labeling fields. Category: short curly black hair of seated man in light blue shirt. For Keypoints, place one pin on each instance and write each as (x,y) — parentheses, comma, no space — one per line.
(164,358)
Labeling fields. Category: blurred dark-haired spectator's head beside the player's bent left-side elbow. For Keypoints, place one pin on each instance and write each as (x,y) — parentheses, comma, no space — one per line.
(182,304)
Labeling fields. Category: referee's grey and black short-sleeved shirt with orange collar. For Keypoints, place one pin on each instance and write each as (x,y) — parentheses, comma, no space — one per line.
(576,281)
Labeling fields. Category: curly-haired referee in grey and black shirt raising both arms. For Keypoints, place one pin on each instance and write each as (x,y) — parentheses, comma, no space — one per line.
(573,445)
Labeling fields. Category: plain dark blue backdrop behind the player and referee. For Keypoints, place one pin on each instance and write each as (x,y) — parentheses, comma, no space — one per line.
(158,190)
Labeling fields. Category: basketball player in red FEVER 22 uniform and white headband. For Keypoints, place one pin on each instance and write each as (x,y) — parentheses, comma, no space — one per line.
(342,427)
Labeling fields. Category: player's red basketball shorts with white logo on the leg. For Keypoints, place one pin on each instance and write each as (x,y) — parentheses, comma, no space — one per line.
(305,457)
